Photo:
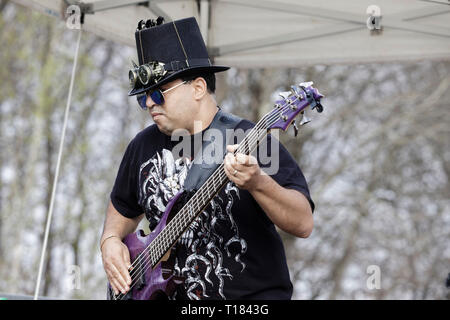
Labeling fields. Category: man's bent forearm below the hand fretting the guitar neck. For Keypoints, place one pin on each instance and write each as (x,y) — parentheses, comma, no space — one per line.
(287,208)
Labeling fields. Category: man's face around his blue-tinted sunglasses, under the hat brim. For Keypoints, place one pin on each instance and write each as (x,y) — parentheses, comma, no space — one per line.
(178,109)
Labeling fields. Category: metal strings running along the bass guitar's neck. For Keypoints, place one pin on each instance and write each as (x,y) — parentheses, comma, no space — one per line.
(252,137)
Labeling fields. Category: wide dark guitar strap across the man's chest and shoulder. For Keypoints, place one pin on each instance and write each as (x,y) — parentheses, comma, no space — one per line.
(213,147)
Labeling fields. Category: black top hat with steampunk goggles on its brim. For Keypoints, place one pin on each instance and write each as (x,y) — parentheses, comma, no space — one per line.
(167,51)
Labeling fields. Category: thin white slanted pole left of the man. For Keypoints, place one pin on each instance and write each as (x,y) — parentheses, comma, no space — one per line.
(58,163)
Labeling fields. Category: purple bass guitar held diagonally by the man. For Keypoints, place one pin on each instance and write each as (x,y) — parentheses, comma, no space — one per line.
(152,255)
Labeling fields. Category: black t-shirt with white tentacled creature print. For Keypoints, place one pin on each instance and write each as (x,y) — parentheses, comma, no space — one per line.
(232,250)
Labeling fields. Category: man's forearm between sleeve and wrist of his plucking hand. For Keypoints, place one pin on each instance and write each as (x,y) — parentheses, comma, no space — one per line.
(117,225)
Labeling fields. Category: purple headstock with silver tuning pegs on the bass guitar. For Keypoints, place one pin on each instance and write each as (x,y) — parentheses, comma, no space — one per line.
(293,103)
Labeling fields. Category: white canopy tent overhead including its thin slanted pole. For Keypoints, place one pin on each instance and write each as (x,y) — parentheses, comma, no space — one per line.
(270,33)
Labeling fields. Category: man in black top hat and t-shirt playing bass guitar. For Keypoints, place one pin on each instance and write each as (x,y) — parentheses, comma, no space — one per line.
(230,249)
